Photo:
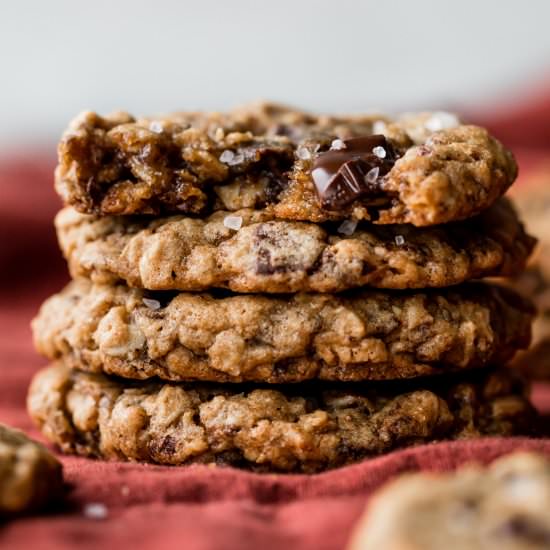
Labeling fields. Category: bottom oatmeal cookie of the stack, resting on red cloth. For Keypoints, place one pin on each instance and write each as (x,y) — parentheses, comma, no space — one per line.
(291,428)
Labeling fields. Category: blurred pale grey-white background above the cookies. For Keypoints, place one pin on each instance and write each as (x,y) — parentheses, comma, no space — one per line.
(58,57)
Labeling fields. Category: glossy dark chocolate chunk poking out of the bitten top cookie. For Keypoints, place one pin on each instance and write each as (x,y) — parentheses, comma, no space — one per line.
(343,175)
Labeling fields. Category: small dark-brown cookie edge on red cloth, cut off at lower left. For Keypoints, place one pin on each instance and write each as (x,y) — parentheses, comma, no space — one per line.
(30,476)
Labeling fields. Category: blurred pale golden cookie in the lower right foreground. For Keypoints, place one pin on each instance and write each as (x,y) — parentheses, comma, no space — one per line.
(503,507)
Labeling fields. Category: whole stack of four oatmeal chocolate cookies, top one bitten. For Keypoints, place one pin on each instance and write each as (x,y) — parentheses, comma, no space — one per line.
(280,291)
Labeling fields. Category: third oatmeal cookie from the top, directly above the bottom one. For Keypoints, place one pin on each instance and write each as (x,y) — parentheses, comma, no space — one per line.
(362,335)
